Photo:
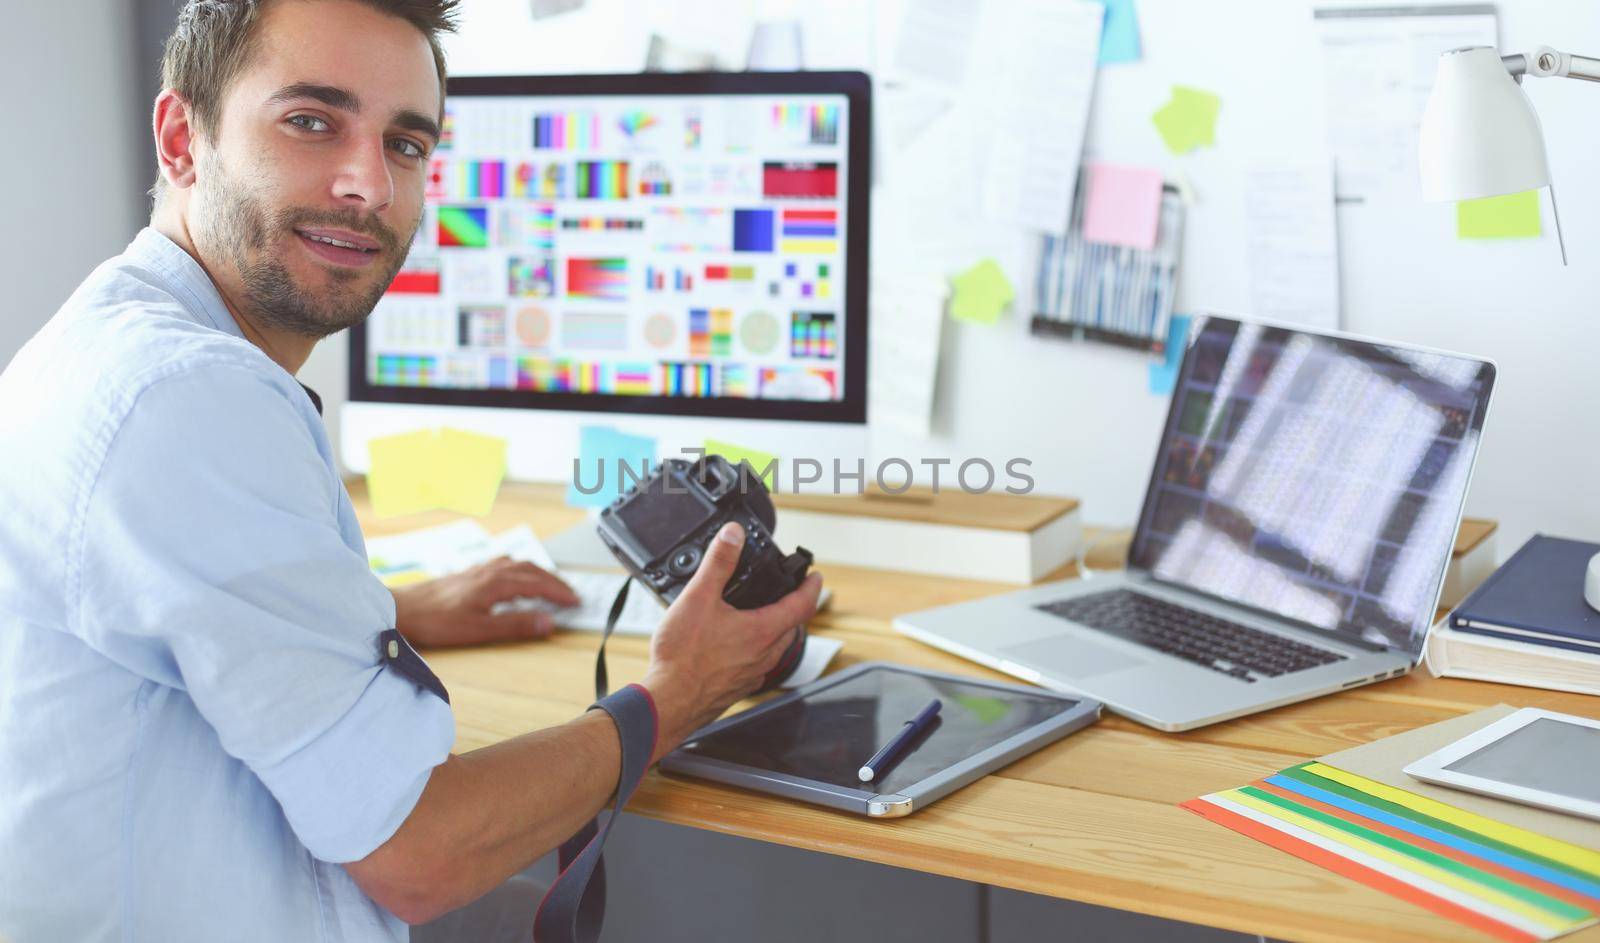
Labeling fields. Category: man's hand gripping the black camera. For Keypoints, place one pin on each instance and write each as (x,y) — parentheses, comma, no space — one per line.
(706,656)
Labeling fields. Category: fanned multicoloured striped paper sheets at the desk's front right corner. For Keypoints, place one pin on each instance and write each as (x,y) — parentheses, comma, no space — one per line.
(1497,878)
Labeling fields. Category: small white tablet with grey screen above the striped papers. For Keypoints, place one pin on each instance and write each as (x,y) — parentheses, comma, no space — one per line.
(1537,758)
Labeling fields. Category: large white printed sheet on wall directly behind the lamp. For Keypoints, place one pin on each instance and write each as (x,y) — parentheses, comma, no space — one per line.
(1378,70)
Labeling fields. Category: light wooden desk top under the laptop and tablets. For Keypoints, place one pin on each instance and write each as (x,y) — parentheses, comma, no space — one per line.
(1092,819)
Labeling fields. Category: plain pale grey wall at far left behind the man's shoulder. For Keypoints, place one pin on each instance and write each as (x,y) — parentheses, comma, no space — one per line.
(71,191)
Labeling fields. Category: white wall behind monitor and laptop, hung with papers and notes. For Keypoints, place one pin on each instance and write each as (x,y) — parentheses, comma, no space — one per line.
(1082,412)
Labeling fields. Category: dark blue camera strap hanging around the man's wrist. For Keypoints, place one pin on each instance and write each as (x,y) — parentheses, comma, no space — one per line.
(574,910)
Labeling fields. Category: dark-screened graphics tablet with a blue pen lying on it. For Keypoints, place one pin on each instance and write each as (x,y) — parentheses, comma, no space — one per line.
(812,742)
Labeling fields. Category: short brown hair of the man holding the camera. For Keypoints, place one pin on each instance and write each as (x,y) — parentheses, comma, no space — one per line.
(214,41)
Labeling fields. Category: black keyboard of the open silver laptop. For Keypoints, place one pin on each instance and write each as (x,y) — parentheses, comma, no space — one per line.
(1218,644)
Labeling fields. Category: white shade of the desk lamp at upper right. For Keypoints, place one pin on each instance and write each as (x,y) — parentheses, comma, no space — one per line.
(1481,135)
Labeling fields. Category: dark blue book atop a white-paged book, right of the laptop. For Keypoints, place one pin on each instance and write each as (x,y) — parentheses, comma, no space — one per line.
(1527,624)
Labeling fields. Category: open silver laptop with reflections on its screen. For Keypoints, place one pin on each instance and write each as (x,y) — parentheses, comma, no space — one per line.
(1294,539)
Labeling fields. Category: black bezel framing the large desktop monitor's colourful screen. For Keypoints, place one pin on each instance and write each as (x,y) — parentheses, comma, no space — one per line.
(858,195)
